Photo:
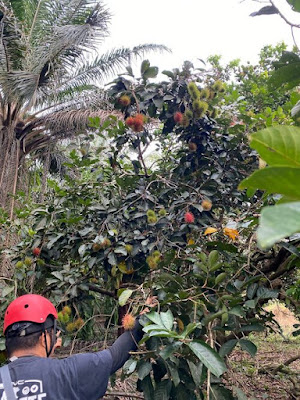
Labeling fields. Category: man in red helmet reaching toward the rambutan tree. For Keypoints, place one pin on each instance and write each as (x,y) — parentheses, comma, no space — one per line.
(32,334)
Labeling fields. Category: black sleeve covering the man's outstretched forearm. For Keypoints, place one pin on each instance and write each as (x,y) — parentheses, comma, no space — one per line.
(123,345)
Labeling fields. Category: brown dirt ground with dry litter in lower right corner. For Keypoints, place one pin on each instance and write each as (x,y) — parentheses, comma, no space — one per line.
(258,377)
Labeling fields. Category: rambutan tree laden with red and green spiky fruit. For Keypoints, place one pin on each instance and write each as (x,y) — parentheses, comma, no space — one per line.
(173,227)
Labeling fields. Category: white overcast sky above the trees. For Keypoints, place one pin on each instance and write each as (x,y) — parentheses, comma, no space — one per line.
(196,29)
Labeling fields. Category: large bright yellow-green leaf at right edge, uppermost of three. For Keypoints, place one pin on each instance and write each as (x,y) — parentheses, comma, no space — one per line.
(278,145)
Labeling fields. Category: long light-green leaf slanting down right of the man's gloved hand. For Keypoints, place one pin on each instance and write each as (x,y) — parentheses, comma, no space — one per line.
(209,357)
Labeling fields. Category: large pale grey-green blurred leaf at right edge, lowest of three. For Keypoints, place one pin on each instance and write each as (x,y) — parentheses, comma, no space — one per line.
(278,222)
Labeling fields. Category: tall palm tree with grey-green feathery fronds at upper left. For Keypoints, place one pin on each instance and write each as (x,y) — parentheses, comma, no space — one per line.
(49,68)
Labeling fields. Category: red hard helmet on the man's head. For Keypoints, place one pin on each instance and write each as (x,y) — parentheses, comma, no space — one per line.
(31,308)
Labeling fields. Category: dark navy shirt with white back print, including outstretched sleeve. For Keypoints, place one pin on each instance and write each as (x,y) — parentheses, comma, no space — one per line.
(79,377)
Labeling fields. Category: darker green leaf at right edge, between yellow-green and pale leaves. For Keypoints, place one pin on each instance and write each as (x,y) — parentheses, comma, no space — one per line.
(282,180)
